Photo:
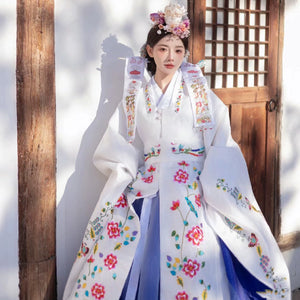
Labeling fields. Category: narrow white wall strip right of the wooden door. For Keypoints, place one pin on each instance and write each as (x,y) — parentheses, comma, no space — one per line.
(290,135)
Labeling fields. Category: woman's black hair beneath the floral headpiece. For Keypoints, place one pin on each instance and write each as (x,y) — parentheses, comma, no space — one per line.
(152,39)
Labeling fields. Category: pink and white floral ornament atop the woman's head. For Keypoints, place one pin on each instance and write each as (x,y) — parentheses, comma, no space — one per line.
(174,19)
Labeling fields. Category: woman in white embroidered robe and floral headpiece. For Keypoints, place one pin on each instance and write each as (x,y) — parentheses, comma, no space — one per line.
(177,218)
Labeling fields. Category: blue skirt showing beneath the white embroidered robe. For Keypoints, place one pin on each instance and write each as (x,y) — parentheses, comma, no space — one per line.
(144,283)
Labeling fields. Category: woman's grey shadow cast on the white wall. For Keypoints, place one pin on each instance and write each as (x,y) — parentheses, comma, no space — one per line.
(85,184)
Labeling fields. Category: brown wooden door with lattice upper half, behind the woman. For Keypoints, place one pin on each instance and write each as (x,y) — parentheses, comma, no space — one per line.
(239,41)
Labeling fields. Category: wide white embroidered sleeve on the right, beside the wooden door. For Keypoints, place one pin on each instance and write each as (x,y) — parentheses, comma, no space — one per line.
(233,211)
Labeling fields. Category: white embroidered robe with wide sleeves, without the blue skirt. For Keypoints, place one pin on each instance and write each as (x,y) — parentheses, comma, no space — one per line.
(203,195)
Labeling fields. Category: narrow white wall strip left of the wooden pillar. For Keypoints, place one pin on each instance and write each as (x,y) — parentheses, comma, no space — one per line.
(8,154)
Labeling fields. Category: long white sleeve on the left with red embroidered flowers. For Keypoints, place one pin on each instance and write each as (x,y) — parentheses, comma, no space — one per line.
(112,233)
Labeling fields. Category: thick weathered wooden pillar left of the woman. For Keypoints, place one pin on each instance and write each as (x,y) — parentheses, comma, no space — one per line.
(36,148)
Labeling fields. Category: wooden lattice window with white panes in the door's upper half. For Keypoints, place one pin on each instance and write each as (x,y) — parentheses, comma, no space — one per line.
(237,38)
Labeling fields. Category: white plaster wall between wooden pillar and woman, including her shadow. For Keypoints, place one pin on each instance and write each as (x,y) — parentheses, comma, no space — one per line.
(92,38)
